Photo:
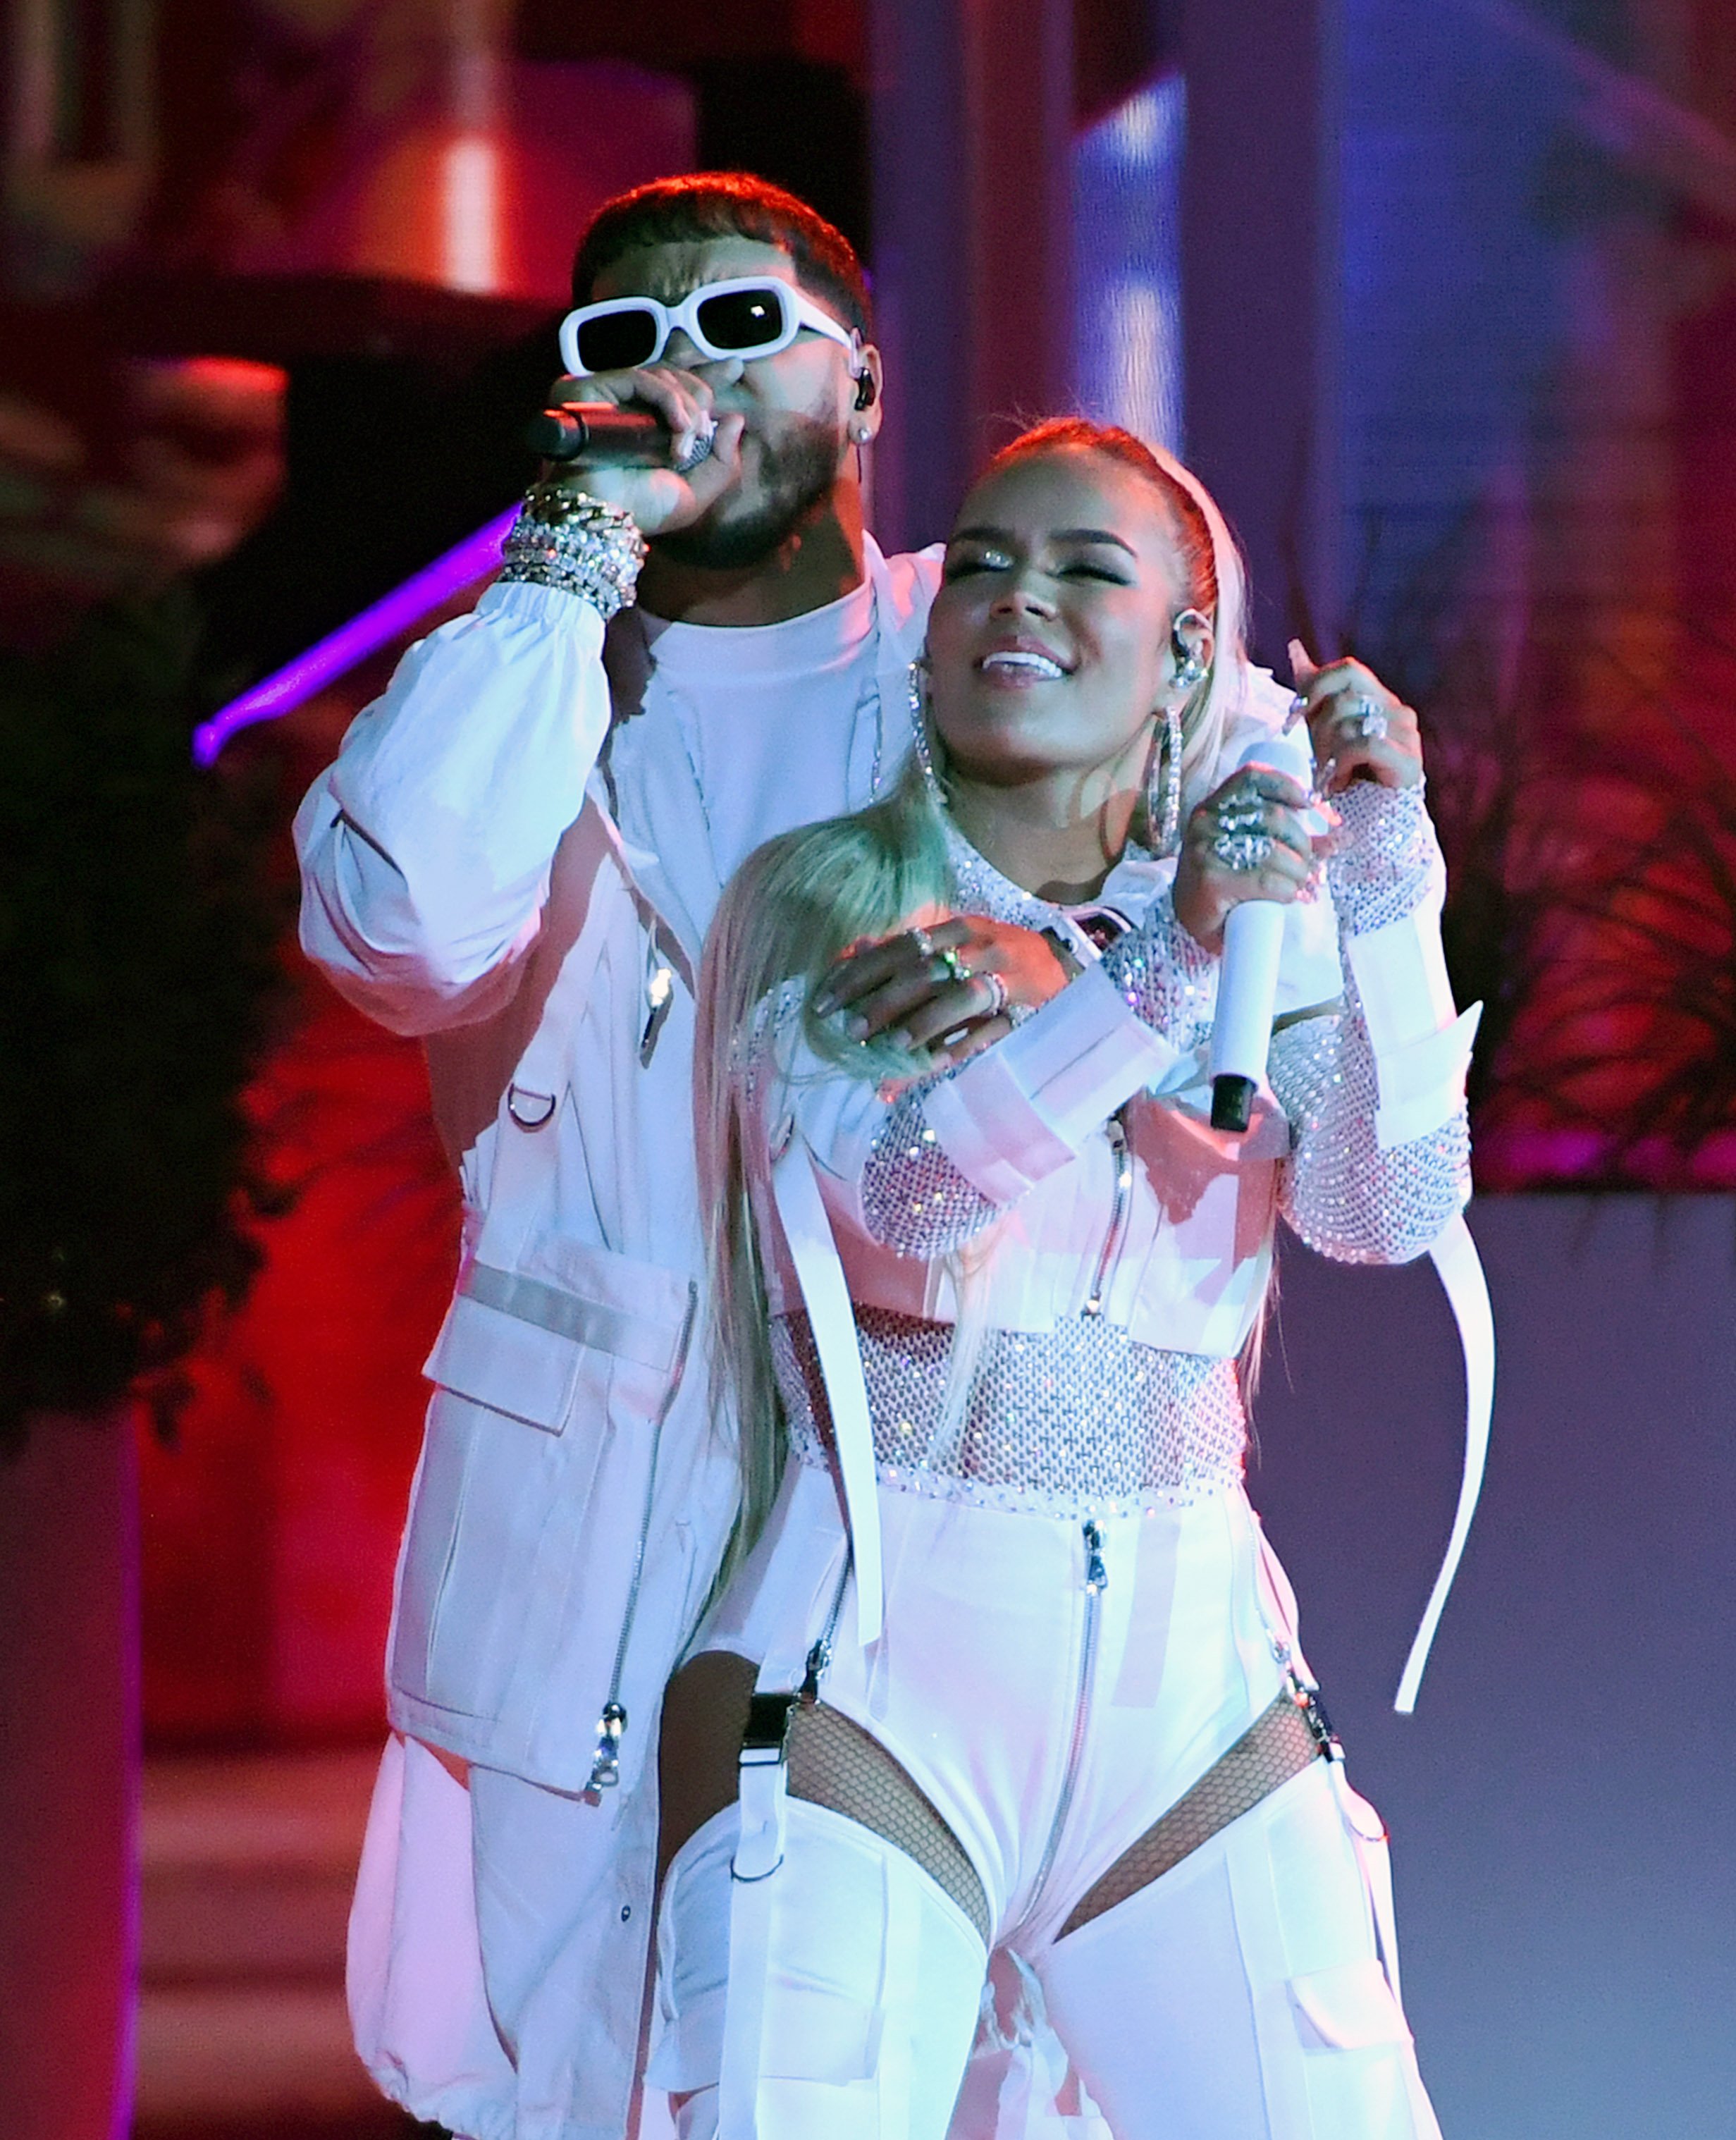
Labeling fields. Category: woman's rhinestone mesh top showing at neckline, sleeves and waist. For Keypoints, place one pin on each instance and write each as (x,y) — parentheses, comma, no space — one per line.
(1084,1416)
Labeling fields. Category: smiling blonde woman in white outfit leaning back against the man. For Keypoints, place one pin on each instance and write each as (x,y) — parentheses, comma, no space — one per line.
(1024,1670)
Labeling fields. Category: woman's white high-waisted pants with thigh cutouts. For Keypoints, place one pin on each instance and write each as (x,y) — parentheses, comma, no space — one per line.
(1240,1998)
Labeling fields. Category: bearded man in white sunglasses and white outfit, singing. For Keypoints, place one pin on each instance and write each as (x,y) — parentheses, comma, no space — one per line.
(521,868)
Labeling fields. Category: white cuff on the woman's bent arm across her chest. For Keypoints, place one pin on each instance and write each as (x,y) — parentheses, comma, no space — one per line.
(1026,1107)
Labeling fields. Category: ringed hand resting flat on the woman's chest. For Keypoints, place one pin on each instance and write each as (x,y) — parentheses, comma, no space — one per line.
(947,990)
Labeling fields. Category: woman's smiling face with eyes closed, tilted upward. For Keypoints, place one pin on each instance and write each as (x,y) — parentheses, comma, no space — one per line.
(1050,637)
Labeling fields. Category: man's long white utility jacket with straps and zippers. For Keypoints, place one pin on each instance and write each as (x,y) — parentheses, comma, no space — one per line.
(474,876)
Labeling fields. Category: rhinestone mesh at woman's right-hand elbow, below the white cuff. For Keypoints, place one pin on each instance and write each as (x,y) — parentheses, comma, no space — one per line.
(1339,1191)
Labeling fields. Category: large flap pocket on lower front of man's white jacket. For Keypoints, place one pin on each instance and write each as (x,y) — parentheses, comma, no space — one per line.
(534,1482)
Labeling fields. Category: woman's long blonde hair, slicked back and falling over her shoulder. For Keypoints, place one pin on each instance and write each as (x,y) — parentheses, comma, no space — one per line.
(802,900)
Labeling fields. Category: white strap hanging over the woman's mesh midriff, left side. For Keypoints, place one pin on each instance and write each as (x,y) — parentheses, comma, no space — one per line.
(808,1234)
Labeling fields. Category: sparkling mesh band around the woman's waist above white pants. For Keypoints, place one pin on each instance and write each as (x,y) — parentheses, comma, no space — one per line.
(1067,1422)
